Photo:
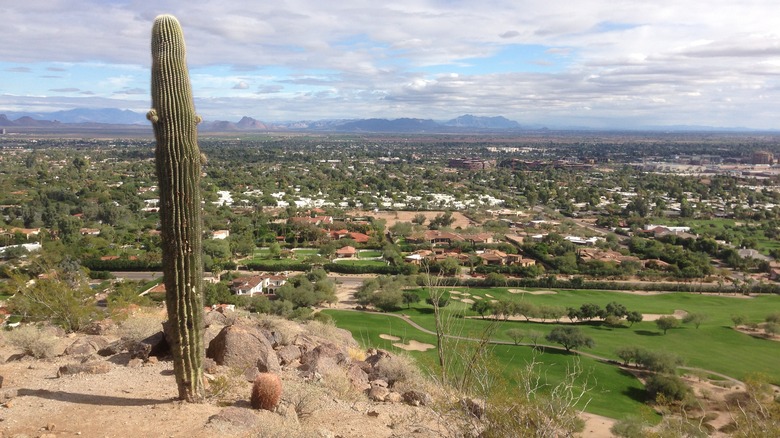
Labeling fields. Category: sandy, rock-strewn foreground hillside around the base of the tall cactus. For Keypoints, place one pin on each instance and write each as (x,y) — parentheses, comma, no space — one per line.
(117,380)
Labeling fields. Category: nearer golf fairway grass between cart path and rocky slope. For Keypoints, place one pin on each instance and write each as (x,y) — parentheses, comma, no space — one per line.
(613,393)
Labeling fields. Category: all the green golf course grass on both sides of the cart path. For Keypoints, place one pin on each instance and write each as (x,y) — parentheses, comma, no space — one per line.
(714,346)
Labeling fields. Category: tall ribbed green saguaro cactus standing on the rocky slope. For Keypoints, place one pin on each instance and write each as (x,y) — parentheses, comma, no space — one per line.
(178,170)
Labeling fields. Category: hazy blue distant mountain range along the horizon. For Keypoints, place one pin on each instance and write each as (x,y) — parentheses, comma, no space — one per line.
(113,116)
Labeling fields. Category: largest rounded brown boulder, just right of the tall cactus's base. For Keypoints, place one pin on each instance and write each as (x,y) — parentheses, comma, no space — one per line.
(243,347)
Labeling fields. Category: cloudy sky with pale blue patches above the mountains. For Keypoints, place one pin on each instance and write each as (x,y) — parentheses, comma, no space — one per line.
(597,63)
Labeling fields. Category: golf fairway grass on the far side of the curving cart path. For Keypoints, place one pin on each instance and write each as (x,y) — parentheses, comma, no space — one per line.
(714,346)
